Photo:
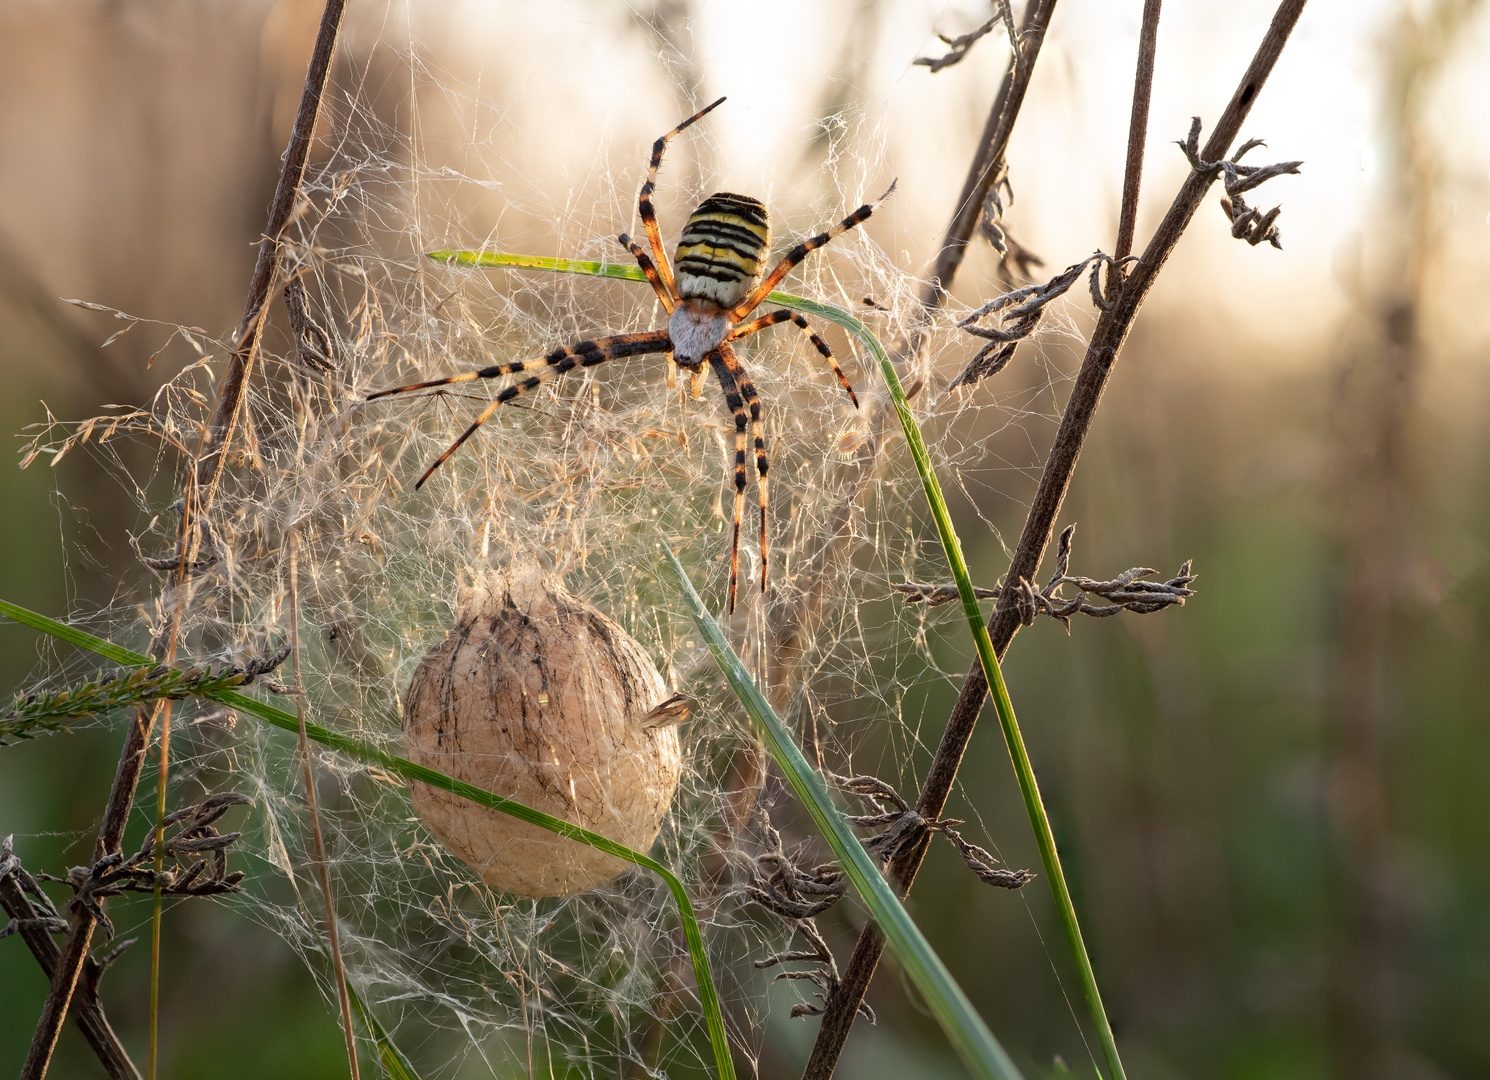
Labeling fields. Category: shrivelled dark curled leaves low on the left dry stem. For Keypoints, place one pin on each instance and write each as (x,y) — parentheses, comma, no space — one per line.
(196,839)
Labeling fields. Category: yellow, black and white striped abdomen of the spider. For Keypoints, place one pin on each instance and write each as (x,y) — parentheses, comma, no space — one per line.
(720,254)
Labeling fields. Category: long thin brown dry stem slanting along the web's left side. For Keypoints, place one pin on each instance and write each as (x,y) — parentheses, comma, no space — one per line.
(209,467)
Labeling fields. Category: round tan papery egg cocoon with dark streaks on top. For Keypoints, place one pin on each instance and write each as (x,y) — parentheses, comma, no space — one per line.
(540,698)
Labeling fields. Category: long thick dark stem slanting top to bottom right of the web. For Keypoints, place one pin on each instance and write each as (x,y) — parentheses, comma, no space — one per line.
(1111,333)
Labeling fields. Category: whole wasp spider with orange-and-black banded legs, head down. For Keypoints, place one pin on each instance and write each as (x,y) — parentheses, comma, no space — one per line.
(717,287)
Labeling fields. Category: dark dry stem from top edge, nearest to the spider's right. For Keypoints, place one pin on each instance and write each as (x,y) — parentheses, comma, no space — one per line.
(990,159)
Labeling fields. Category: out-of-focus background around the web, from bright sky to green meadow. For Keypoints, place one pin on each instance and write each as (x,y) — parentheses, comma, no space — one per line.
(1272,804)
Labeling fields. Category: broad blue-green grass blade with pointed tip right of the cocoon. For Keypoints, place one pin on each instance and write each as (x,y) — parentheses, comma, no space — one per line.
(954,1012)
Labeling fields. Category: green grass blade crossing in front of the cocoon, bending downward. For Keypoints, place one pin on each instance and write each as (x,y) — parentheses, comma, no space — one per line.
(363,752)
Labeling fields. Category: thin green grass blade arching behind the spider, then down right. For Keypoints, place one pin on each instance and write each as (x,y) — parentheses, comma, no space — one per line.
(1014,740)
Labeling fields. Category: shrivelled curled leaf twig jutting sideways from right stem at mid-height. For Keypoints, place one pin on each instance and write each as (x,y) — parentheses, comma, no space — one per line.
(1127,592)
